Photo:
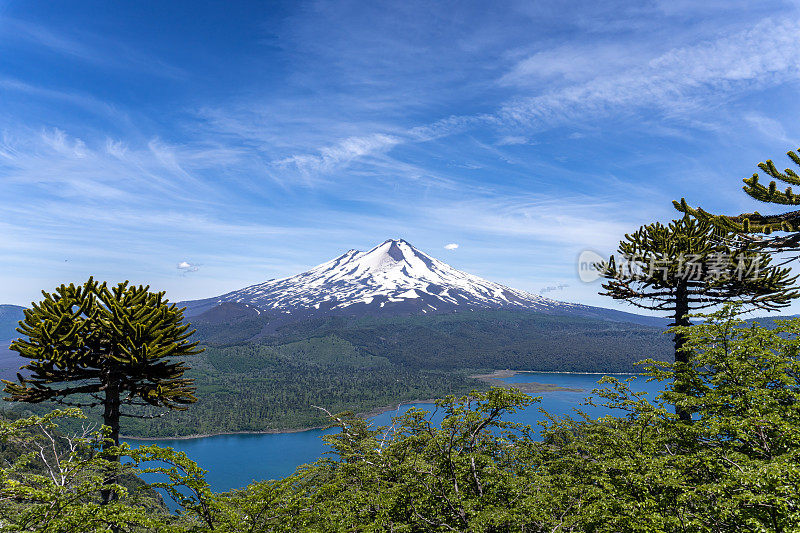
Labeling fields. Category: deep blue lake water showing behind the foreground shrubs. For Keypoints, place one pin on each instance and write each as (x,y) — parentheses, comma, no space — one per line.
(234,461)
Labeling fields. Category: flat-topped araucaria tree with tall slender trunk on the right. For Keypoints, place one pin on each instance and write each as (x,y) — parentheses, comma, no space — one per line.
(688,265)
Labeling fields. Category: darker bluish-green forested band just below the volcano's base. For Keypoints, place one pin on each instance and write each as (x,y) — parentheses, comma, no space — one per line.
(473,340)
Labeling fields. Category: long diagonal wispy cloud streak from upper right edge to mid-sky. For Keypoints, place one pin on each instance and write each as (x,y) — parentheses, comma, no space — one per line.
(594,82)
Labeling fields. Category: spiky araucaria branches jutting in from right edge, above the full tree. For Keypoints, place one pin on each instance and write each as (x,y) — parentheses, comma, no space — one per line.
(756,223)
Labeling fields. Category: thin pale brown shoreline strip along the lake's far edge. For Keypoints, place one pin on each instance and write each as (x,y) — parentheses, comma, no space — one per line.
(494,378)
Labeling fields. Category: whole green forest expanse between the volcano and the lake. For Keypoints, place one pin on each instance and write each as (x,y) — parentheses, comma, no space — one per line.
(251,382)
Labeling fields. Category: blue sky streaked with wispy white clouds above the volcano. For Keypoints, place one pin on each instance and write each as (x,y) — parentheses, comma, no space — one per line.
(201,147)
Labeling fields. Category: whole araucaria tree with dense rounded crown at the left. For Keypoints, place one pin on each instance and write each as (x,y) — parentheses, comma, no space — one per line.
(92,345)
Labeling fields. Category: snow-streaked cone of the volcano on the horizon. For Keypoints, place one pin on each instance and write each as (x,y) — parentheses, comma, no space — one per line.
(393,276)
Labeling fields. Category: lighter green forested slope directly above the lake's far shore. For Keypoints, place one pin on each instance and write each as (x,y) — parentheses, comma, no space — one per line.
(257,388)
